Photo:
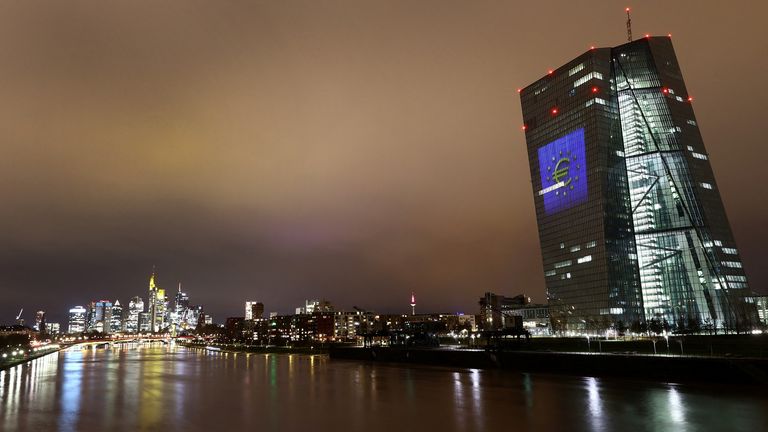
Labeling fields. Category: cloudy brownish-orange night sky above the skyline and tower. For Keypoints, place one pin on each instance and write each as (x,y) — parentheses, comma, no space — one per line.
(349,150)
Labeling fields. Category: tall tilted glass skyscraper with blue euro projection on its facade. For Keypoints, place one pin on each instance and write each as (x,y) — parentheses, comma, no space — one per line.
(633,231)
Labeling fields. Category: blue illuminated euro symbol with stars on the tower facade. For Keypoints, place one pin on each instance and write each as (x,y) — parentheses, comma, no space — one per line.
(563,171)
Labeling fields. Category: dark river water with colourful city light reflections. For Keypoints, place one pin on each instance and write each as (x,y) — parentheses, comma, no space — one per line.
(158,388)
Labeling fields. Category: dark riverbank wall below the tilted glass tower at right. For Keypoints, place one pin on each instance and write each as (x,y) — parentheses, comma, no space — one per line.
(664,368)
